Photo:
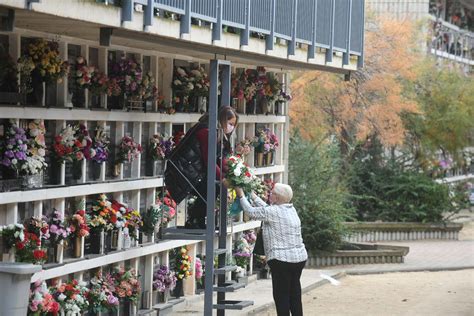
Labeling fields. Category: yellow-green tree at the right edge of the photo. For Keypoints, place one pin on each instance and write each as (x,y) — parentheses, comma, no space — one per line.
(445,123)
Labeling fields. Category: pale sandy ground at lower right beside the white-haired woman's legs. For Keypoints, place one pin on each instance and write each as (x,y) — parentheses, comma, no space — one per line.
(408,293)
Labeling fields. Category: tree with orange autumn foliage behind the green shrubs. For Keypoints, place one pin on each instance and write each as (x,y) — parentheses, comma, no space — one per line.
(371,103)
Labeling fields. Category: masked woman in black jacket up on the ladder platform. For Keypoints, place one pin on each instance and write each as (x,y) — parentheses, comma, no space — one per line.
(186,173)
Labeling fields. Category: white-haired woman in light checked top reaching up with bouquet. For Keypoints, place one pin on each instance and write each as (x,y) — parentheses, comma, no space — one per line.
(284,248)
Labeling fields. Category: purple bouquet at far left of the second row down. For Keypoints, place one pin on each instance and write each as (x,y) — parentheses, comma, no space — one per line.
(14,149)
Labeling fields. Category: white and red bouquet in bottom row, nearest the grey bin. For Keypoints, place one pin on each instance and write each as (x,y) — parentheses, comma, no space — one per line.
(41,302)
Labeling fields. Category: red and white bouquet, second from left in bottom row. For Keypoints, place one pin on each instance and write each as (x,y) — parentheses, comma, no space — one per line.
(72,297)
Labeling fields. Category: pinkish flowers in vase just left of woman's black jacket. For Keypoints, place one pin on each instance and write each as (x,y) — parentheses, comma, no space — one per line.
(160,147)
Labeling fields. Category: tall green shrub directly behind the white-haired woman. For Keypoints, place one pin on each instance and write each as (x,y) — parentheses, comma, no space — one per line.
(319,194)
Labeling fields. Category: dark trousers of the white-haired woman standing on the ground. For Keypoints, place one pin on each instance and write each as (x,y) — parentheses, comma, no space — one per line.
(287,287)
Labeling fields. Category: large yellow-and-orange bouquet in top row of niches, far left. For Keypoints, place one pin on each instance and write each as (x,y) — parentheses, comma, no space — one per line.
(41,63)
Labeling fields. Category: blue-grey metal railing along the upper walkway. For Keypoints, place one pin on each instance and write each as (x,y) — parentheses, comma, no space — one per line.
(333,25)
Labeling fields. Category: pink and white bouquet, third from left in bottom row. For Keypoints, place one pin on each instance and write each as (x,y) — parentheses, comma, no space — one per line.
(101,297)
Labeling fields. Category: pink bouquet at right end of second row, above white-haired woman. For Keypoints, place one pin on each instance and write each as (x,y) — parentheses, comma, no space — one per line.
(266,143)
